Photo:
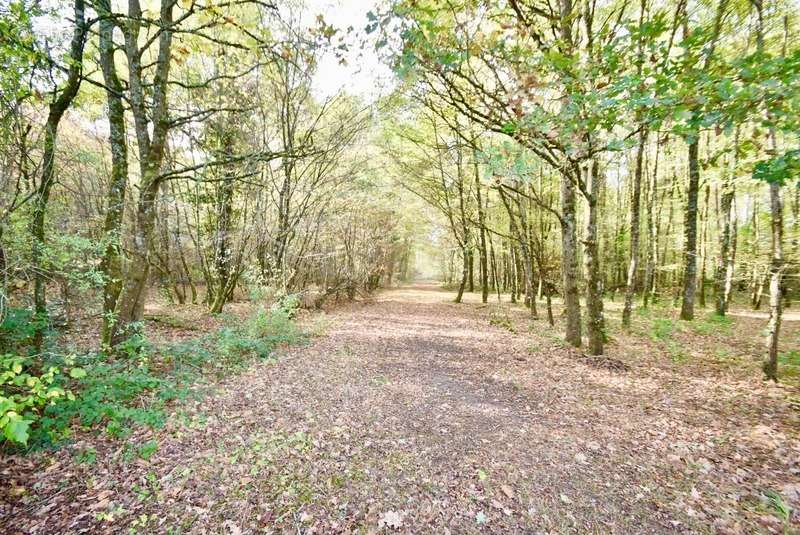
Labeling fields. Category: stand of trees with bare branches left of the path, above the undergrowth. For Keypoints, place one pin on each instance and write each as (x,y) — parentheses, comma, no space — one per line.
(226,171)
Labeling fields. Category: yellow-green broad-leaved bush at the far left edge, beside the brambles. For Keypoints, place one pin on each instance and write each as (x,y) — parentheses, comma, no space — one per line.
(26,393)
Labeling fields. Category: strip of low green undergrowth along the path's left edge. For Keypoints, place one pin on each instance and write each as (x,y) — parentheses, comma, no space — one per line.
(133,387)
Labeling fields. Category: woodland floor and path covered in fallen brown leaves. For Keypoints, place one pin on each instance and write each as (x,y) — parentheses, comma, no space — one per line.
(416,415)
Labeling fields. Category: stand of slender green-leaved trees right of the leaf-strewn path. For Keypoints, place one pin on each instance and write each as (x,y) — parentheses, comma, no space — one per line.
(584,88)
